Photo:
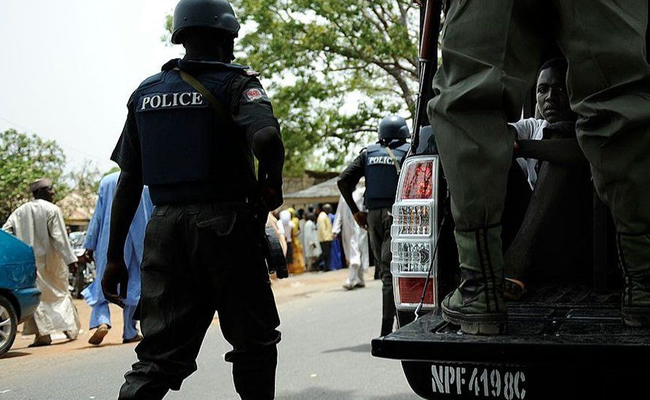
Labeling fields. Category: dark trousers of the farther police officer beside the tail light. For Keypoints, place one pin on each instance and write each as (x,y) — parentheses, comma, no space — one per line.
(379,223)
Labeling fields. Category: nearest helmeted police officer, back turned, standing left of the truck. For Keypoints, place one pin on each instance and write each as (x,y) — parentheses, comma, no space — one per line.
(203,243)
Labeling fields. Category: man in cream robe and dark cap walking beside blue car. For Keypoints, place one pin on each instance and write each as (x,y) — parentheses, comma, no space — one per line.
(40,224)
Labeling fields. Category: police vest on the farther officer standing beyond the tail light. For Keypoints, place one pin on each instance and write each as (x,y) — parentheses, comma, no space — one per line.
(381,175)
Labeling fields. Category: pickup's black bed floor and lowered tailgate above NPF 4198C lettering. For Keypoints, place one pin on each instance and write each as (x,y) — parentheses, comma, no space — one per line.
(568,340)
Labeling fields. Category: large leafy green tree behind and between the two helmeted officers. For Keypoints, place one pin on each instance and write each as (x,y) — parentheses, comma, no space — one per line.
(336,68)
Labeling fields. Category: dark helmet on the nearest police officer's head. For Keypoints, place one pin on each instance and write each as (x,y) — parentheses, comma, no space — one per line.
(217,14)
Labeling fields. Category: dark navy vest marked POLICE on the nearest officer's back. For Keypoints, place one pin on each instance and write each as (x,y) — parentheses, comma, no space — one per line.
(189,152)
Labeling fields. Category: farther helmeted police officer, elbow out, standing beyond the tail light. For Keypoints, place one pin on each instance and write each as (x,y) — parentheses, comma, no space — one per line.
(380,164)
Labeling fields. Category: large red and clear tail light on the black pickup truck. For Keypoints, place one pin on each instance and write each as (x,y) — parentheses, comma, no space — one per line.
(413,234)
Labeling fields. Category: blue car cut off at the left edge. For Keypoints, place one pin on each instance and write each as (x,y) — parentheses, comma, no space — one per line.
(19,296)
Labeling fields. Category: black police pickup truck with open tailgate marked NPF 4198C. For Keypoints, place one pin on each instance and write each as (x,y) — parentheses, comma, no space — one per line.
(564,339)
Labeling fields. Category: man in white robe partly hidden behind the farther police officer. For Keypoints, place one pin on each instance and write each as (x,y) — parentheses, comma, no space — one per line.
(354,239)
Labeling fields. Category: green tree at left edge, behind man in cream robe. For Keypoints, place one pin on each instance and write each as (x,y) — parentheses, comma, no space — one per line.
(26,158)
